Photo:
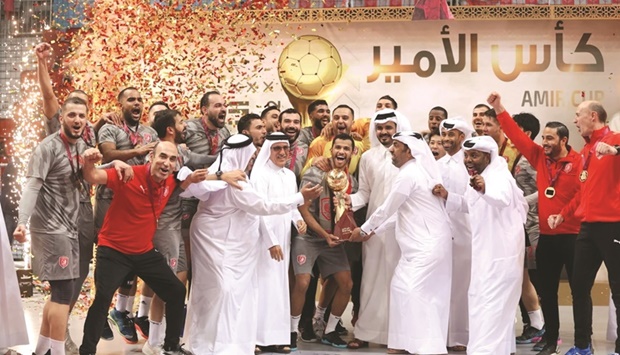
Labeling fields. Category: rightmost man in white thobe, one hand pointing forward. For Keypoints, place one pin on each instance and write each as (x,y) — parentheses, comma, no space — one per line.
(497,211)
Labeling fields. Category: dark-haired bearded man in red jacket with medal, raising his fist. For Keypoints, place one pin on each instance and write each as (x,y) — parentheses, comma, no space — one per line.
(558,167)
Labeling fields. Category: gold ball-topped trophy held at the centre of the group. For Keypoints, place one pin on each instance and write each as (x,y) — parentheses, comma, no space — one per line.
(344,223)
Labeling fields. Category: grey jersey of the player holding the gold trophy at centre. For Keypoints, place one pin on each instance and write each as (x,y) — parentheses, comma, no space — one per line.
(321,208)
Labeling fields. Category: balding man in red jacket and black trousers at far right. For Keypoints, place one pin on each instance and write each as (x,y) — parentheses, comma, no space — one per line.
(598,207)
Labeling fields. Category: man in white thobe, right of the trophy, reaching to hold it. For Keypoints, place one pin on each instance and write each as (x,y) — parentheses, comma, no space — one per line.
(420,288)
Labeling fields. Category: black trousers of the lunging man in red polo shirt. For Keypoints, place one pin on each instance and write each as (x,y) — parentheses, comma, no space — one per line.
(112,268)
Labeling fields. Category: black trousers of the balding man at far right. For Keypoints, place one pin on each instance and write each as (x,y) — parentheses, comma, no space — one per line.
(596,243)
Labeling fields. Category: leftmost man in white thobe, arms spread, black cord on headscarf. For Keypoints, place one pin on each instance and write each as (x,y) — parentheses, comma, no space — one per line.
(222,312)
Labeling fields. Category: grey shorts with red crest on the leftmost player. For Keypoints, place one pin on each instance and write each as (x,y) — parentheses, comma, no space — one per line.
(55,256)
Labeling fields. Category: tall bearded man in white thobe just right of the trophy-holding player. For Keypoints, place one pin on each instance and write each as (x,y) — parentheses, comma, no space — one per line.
(379,255)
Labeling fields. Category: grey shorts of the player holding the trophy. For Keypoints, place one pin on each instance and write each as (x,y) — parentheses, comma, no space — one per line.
(305,253)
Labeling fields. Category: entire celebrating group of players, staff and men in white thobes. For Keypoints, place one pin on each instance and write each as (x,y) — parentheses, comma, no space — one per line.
(452,229)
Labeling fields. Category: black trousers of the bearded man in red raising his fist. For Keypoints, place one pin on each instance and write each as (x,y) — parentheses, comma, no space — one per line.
(553,253)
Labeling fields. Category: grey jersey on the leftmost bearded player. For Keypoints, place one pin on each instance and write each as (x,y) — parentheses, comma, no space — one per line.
(57,206)
